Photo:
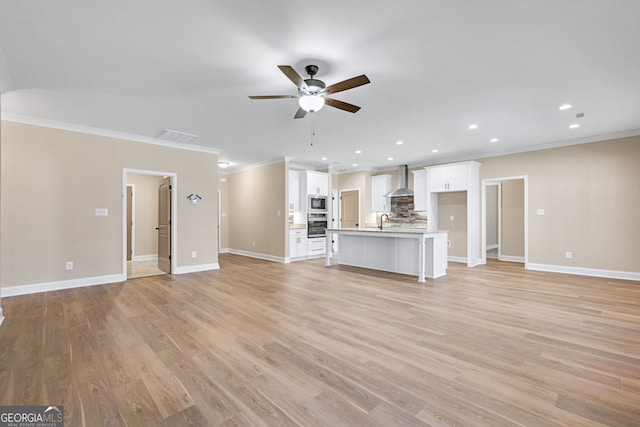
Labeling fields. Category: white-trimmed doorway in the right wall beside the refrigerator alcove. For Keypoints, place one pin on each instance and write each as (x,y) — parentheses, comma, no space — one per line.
(505,219)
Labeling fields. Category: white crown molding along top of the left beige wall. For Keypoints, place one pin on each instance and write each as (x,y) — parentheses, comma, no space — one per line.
(53,124)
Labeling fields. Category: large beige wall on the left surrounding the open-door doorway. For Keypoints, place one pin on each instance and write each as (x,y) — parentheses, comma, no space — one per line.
(52,182)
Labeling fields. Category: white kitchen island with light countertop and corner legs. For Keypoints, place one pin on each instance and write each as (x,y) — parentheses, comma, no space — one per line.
(413,251)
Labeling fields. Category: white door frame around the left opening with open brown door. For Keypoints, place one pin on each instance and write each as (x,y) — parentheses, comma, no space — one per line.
(174,213)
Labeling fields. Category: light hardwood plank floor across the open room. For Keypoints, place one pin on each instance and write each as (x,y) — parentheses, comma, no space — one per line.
(263,343)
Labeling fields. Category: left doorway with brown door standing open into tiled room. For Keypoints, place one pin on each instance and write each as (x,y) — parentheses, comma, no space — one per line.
(148,212)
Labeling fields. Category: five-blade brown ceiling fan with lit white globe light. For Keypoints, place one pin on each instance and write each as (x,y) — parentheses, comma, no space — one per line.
(312,93)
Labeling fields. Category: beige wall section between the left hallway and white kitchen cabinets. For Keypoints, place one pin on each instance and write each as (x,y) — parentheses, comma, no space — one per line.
(255,197)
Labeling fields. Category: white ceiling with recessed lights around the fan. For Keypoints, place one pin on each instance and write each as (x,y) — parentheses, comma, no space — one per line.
(435,66)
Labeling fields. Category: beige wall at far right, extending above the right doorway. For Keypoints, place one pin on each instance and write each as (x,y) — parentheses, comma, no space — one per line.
(591,200)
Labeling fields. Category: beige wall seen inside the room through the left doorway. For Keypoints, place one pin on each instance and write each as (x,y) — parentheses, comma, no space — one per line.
(145,221)
